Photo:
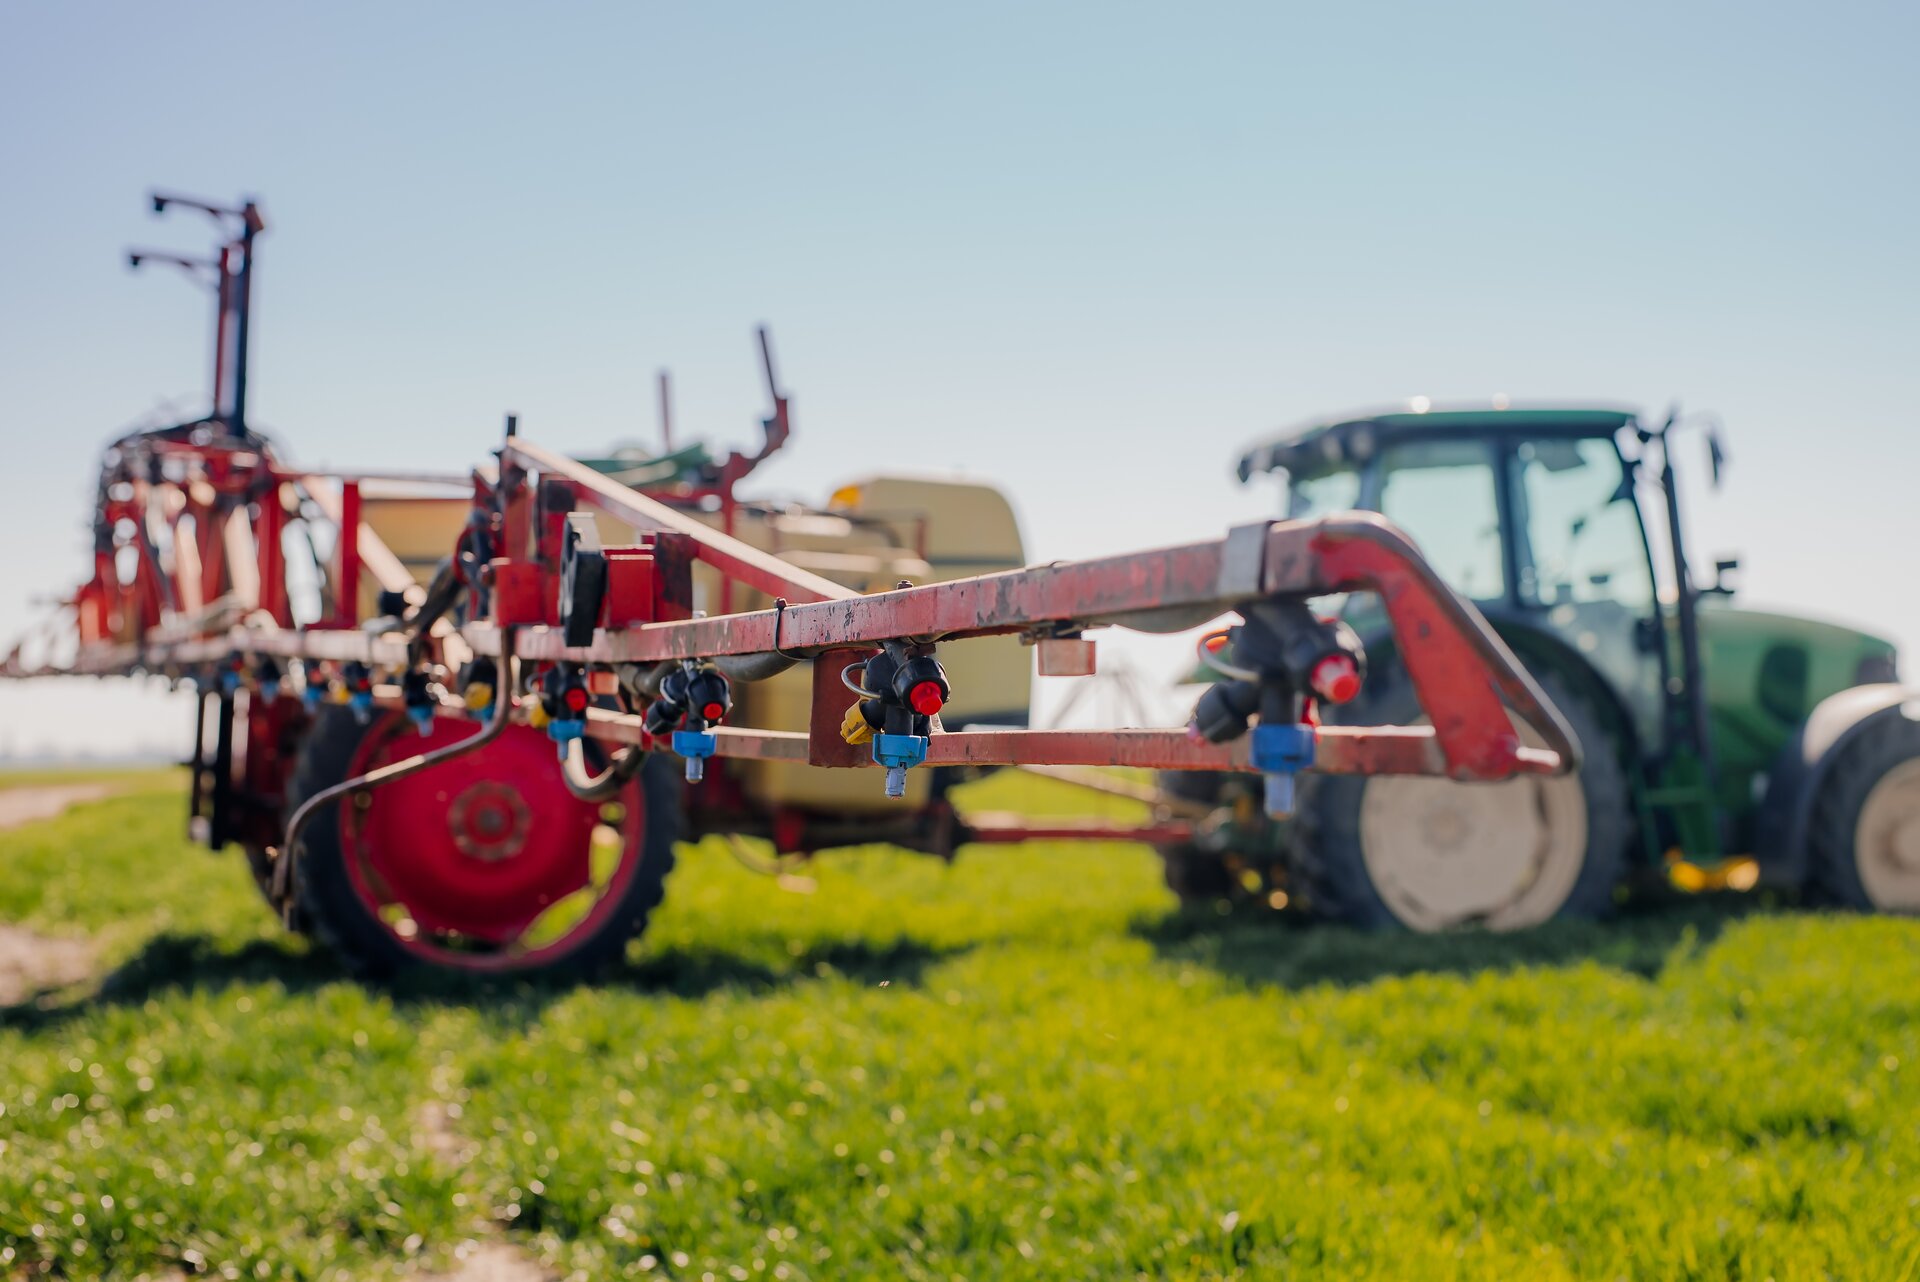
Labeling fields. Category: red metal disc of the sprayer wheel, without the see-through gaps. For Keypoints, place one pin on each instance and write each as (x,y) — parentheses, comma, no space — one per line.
(479,845)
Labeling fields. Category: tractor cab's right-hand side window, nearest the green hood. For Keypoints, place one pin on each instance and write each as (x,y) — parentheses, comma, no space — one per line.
(1579,527)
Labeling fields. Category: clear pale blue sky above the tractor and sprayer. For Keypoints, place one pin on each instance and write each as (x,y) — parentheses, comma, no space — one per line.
(1082,250)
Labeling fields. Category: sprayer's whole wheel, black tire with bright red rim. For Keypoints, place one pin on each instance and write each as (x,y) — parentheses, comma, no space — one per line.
(481,865)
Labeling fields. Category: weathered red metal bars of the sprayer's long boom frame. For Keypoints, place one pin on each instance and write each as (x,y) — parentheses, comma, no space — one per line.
(1464,675)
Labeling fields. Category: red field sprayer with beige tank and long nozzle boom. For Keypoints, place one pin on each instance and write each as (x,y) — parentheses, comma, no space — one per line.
(475,744)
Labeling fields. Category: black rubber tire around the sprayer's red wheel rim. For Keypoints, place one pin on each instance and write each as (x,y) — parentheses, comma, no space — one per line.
(343,924)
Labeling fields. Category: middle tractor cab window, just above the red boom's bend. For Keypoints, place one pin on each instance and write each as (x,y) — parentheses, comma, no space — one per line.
(1443,494)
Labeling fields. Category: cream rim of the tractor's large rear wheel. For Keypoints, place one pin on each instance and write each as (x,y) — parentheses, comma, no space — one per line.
(1499,855)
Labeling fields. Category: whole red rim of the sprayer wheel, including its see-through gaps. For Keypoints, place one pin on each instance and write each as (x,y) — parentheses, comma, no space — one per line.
(487,861)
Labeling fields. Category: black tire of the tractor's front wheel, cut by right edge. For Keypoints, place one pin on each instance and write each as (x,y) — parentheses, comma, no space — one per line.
(1838,843)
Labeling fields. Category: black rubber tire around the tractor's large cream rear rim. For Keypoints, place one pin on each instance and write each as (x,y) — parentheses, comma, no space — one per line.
(1330,865)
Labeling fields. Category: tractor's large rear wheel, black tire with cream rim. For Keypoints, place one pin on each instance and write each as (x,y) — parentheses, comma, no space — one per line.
(1429,855)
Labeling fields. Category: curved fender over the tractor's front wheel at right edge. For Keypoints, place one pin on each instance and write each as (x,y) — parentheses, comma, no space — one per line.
(1796,776)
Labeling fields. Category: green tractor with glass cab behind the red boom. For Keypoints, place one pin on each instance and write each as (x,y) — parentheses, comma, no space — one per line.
(1737,746)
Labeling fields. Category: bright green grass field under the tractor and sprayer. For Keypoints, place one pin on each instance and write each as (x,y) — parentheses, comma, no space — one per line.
(1024,1066)
